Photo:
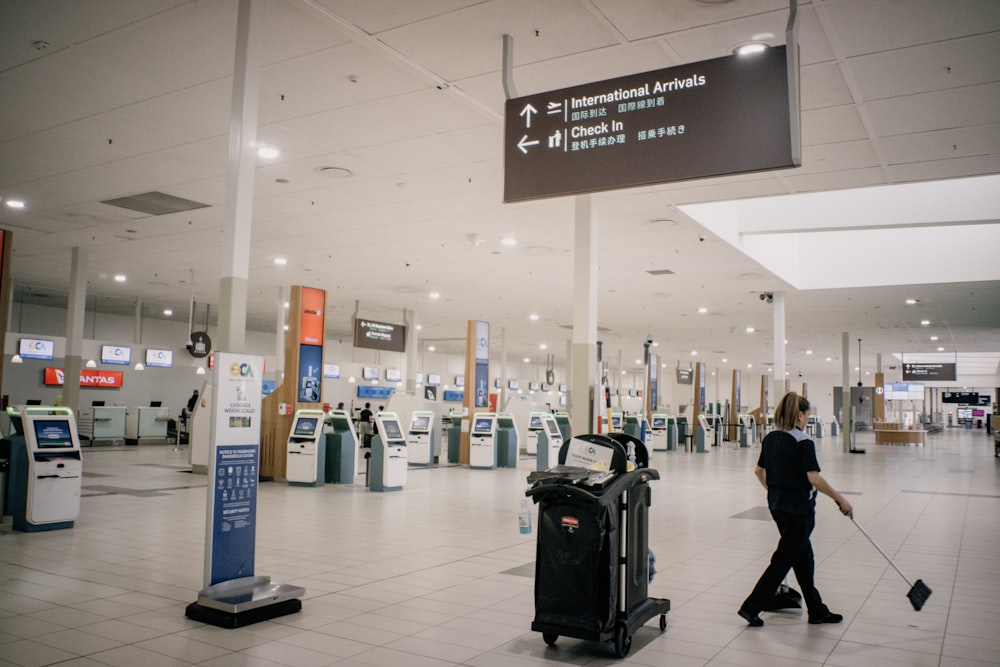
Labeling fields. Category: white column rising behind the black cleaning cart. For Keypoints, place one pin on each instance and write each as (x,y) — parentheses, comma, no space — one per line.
(582,369)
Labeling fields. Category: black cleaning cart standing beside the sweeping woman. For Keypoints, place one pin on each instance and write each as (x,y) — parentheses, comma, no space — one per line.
(592,556)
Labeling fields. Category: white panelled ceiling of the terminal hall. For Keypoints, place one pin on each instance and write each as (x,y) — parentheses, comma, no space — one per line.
(130,97)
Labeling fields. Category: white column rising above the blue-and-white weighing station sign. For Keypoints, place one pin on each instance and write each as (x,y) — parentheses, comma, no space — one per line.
(237,219)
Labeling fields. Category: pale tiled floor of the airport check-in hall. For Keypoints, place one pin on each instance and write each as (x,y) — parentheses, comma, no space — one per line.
(421,577)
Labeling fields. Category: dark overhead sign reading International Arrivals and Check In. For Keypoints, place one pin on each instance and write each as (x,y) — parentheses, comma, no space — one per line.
(723,116)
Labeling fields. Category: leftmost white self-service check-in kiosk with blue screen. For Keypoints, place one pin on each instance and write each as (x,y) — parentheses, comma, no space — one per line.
(47,468)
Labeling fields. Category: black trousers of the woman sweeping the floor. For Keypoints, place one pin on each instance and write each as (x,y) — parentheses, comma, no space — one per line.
(794,552)
